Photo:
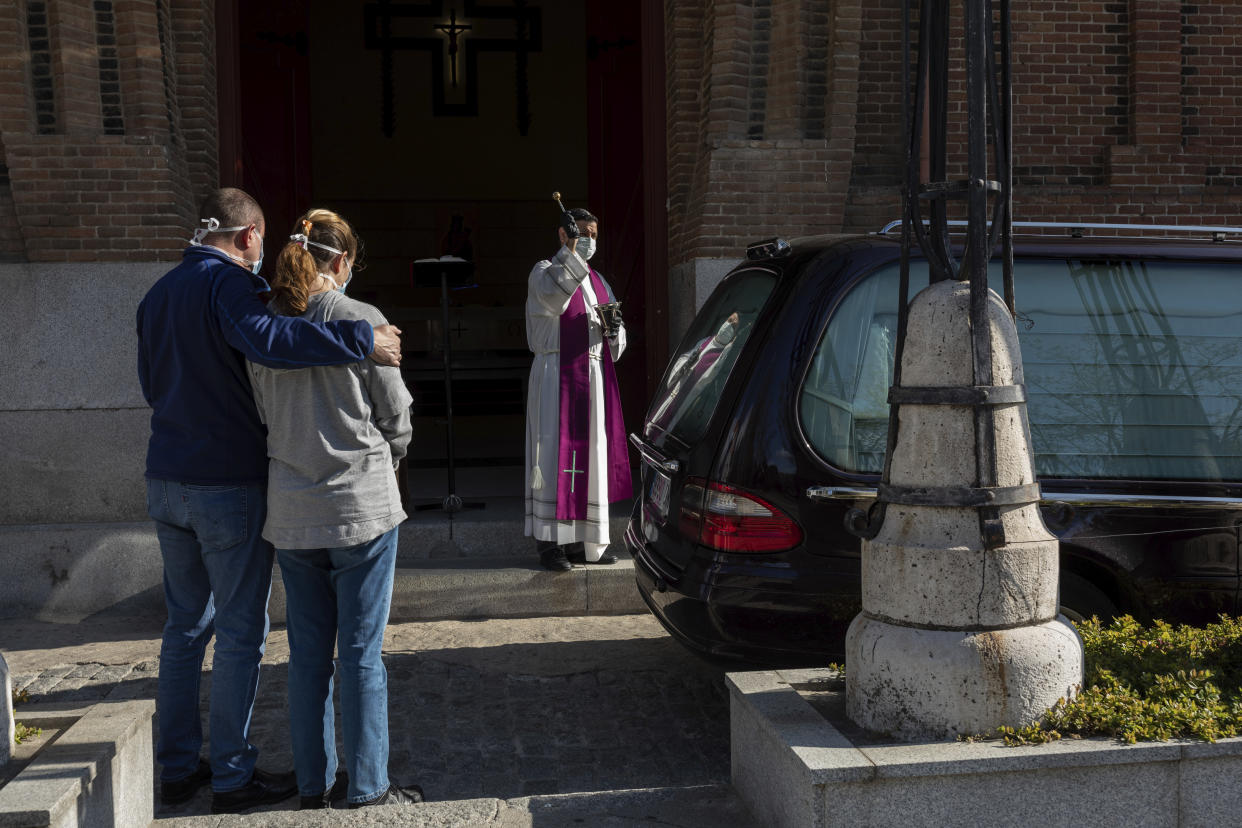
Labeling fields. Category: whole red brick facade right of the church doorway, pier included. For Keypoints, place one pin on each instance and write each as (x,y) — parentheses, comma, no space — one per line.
(1125,111)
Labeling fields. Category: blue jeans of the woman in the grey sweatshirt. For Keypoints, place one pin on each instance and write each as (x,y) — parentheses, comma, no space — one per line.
(340,596)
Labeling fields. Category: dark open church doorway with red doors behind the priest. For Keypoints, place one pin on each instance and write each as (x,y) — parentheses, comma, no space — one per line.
(443,128)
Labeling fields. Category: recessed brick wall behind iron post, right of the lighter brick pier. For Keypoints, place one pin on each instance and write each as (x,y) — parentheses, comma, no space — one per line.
(1125,111)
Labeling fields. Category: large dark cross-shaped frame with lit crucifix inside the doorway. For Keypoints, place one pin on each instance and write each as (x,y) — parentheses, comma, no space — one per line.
(454,44)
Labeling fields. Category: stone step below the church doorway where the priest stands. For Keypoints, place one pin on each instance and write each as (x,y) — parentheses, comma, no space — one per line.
(470,564)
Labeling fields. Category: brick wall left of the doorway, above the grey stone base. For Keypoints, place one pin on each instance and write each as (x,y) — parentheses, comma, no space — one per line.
(107,115)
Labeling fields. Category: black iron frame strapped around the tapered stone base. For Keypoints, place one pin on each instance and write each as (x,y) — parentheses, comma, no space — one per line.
(927,196)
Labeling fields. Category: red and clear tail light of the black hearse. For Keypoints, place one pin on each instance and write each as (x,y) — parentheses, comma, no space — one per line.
(732,521)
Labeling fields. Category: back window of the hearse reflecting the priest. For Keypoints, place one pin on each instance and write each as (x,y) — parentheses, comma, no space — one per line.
(691,388)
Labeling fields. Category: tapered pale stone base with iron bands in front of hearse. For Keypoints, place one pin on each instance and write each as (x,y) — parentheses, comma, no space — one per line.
(956,639)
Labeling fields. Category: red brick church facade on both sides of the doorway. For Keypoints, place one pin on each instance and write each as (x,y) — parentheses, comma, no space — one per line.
(783,117)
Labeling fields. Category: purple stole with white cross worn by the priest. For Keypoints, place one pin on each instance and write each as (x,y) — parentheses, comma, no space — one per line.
(576,414)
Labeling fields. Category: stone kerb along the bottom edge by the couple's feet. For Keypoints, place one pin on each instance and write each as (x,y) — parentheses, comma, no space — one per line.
(707,806)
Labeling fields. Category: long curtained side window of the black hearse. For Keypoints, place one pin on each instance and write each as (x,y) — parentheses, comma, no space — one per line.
(1133,369)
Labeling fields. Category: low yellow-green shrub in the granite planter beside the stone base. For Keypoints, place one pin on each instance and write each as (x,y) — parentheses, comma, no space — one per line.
(1149,685)
